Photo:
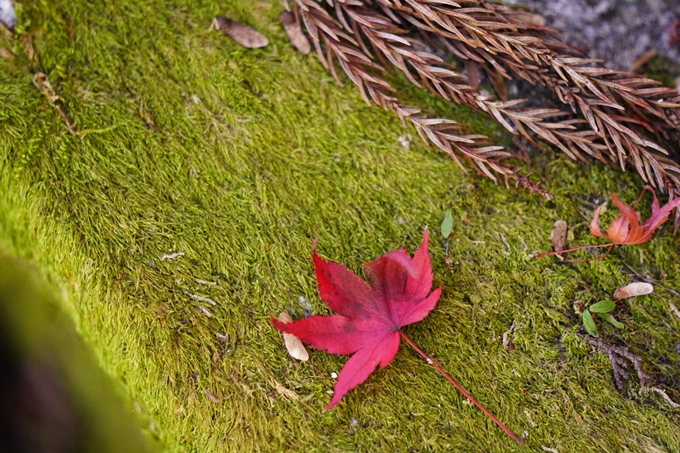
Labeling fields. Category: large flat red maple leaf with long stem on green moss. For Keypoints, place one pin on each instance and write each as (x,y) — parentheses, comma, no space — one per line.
(370,315)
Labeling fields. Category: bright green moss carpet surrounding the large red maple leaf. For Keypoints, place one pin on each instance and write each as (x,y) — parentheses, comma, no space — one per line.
(238,158)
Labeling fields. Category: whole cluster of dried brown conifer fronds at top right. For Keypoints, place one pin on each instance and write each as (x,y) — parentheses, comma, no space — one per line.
(504,44)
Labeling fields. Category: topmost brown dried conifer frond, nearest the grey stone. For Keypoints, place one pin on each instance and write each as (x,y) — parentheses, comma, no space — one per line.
(499,30)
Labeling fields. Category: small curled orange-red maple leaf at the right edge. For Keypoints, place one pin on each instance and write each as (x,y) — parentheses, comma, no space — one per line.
(626,229)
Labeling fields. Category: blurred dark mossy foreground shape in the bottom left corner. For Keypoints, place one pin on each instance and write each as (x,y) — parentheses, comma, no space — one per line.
(53,396)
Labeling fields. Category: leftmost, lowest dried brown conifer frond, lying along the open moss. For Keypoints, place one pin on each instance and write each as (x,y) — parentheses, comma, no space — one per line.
(332,43)
